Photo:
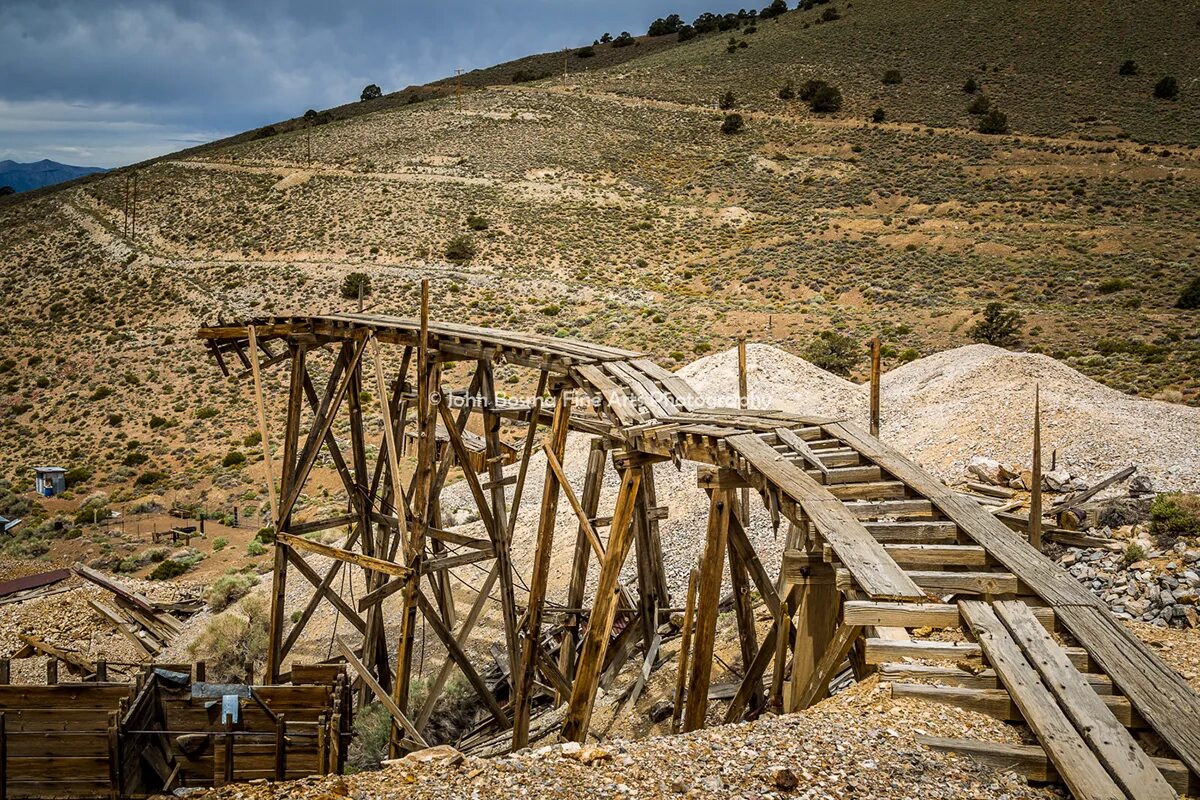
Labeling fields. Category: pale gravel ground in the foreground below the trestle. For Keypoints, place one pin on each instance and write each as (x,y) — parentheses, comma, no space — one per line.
(860,744)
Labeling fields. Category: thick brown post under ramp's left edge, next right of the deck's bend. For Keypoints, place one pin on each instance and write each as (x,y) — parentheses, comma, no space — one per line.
(707,601)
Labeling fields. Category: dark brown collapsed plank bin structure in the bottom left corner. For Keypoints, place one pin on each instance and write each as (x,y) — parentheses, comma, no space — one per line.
(170,730)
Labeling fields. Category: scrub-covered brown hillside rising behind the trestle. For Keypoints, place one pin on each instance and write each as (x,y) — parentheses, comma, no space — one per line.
(610,207)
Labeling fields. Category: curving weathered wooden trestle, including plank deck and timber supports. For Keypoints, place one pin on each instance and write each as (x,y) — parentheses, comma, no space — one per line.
(877,549)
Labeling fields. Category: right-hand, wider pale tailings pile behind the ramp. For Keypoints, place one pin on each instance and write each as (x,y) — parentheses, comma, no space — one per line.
(979,401)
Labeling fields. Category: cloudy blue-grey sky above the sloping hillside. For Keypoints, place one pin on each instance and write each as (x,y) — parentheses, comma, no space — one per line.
(101,85)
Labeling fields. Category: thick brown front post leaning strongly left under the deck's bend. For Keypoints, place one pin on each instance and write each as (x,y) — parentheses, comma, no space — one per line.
(596,645)
